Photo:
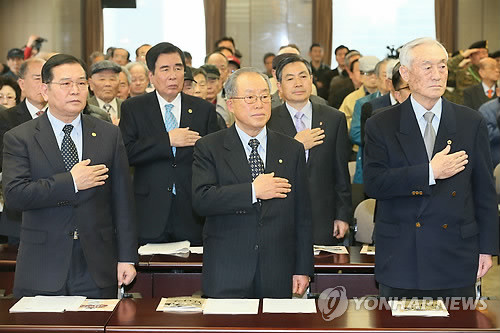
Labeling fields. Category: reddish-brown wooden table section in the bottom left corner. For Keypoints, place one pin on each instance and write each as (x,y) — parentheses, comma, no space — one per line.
(50,322)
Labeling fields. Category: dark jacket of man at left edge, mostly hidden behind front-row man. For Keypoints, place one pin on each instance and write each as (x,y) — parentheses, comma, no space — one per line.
(10,221)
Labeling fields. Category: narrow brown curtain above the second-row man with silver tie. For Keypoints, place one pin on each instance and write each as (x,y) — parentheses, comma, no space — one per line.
(322,27)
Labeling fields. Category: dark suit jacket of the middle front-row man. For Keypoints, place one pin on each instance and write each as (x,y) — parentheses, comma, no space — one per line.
(239,236)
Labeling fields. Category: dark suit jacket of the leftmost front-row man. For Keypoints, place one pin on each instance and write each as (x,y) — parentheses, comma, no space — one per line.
(36,183)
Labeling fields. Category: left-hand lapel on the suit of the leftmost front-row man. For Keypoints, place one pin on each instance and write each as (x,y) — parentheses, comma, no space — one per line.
(45,137)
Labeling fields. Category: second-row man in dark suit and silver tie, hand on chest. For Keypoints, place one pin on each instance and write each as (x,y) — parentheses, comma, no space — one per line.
(323,132)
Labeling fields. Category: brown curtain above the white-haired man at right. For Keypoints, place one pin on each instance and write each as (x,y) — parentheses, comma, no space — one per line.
(446,23)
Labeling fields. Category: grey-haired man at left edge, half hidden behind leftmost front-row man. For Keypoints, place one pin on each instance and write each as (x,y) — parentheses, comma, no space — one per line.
(30,79)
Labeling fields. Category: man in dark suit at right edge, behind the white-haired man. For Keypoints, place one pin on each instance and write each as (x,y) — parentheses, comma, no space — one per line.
(478,94)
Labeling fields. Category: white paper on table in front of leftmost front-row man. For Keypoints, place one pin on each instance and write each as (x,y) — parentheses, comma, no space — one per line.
(47,304)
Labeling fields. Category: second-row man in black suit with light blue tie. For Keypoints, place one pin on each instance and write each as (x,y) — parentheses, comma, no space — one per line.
(159,131)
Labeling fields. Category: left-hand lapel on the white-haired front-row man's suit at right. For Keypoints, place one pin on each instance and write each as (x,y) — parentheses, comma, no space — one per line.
(409,136)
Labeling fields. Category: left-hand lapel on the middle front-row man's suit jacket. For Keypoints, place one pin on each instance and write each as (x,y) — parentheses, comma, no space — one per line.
(236,157)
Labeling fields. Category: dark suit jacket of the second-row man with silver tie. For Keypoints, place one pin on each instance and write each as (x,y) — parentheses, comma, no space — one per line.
(328,175)
